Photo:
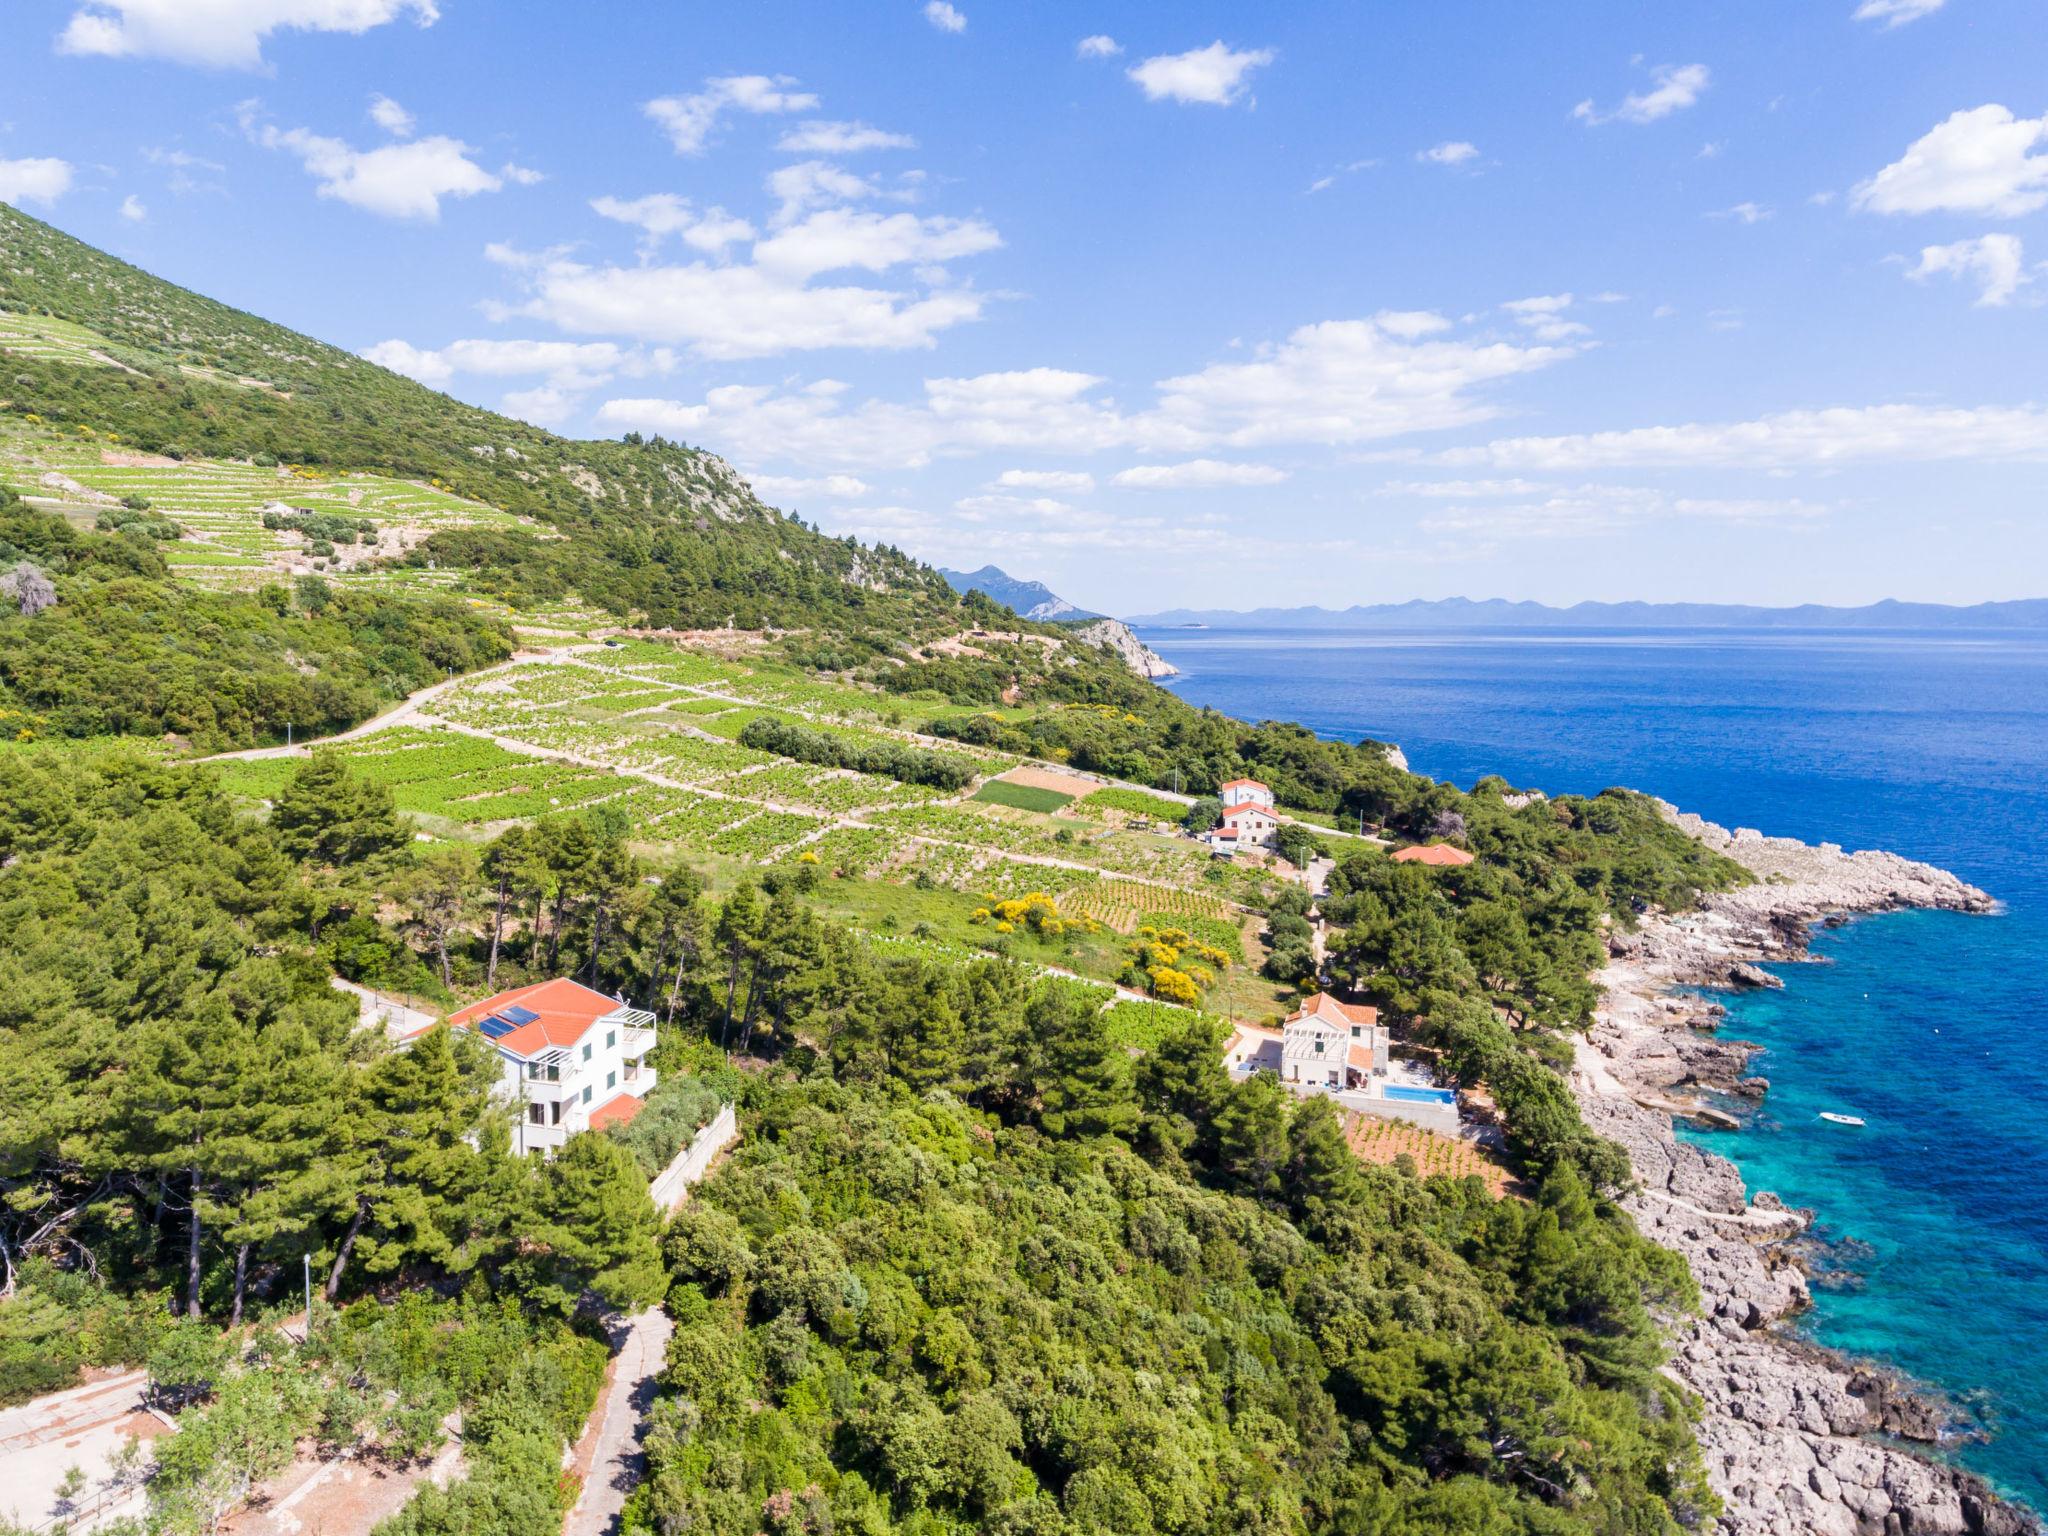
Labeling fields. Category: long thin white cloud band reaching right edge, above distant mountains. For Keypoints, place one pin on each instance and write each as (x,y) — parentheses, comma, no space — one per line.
(1789,441)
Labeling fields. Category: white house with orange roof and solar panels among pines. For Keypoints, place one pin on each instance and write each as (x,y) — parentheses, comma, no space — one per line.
(574,1060)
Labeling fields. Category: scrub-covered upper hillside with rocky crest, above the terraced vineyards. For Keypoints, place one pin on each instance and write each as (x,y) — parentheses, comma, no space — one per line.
(652,529)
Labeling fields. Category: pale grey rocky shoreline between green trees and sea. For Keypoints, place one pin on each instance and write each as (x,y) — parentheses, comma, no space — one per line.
(1795,1439)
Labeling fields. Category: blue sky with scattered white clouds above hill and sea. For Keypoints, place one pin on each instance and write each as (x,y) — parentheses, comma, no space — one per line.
(1193,304)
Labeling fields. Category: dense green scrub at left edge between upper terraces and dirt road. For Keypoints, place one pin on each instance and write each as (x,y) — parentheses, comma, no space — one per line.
(122,648)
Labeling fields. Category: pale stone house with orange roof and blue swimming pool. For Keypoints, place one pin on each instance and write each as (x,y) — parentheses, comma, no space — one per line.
(1336,1050)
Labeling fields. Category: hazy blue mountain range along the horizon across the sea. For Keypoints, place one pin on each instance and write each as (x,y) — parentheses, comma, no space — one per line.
(1498,613)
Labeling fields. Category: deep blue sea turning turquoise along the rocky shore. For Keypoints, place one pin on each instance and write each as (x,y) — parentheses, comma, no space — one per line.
(1926,1025)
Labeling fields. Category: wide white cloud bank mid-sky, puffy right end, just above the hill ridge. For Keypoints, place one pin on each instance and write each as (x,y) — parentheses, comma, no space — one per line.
(1330,384)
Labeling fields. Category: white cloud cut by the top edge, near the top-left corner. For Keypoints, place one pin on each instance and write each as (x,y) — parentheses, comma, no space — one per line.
(222,34)
